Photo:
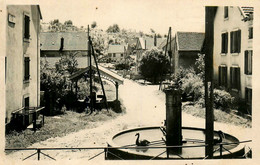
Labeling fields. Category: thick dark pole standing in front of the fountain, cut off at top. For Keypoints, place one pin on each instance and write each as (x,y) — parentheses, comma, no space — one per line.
(208,45)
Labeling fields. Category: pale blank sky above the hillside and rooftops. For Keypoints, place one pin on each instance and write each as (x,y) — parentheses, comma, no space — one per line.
(141,15)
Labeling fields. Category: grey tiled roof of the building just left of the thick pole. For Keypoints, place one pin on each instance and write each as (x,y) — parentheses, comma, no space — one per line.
(189,41)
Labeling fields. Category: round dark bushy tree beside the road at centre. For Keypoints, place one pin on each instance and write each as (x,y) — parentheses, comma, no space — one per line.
(154,65)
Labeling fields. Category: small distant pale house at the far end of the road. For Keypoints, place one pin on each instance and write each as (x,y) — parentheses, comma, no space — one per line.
(116,52)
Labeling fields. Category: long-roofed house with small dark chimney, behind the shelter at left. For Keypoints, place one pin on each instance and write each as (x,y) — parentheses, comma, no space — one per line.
(56,44)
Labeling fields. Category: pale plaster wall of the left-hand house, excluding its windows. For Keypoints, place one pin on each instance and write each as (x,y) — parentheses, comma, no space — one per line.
(16,50)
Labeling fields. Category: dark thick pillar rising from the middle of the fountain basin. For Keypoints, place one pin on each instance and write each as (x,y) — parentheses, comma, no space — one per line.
(173,119)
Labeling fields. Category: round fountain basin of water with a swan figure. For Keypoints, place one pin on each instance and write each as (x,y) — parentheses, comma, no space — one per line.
(193,136)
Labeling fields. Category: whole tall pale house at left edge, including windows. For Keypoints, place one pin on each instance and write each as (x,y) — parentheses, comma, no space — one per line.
(22,63)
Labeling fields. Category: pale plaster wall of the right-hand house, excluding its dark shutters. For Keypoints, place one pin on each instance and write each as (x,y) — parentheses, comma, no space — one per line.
(233,22)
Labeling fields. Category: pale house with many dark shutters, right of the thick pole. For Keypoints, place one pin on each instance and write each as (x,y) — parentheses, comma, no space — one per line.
(233,51)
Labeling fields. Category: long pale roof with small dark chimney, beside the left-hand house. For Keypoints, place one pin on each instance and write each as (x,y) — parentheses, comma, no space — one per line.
(72,41)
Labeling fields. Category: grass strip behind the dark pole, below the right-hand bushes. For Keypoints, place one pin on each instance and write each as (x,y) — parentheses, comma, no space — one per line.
(219,115)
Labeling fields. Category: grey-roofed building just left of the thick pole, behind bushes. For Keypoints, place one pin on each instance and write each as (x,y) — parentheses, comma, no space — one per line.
(187,46)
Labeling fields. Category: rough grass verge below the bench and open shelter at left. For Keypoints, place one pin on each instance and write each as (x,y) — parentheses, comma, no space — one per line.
(57,126)
